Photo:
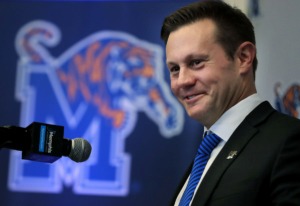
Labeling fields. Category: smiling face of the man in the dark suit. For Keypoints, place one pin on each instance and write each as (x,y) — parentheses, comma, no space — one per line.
(203,78)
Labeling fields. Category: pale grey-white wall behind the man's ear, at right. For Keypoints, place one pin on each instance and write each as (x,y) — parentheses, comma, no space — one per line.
(277,33)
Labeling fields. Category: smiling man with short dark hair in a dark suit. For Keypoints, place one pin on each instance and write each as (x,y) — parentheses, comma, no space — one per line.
(211,56)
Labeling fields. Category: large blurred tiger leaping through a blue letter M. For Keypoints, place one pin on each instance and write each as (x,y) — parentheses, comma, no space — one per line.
(95,90)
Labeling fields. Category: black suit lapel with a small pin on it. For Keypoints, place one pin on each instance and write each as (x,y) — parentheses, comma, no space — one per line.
(230,151)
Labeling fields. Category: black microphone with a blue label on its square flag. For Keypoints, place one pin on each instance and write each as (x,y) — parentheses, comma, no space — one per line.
(44,143)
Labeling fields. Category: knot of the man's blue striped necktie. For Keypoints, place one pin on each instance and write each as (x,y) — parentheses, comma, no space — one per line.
(209,142)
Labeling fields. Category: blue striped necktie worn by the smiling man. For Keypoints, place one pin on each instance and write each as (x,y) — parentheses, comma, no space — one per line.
(207,145)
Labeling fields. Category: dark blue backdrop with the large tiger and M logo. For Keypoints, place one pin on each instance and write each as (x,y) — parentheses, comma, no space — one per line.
(98,69)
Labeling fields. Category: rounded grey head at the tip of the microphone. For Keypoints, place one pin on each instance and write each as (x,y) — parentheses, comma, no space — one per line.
(80,150)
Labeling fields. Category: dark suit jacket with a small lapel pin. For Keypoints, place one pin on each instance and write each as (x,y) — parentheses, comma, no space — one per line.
(266,168)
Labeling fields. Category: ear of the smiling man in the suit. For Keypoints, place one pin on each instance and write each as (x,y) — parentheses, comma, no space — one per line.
(245,54)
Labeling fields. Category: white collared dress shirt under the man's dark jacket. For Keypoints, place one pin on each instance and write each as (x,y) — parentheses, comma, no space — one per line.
(224,127)
